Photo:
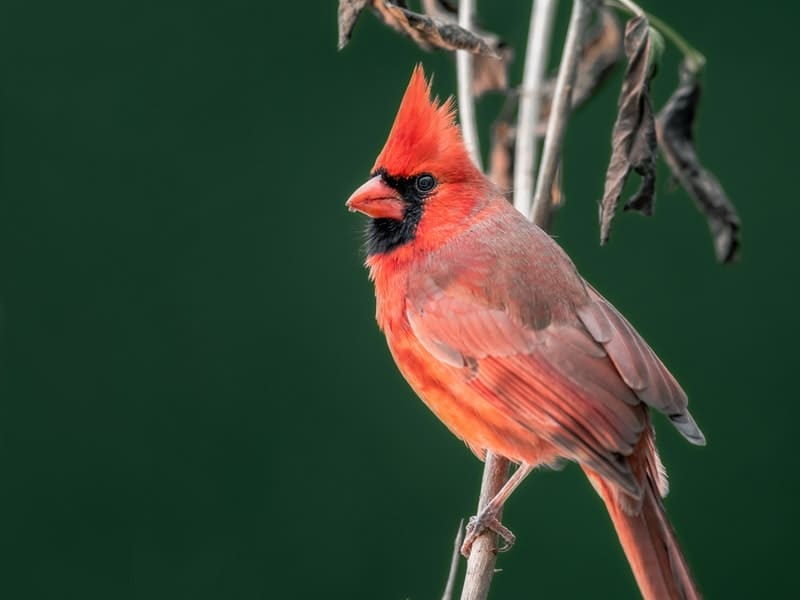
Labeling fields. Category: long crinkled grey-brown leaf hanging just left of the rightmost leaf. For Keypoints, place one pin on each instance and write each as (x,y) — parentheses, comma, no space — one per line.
(633,139)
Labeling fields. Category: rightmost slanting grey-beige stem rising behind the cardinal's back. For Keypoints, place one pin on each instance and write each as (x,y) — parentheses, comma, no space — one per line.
(559,113)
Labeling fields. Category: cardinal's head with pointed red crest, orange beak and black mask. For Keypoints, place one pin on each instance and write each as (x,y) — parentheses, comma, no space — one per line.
(424,184)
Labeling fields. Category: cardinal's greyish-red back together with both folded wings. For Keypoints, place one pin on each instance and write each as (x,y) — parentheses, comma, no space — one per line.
(542,346)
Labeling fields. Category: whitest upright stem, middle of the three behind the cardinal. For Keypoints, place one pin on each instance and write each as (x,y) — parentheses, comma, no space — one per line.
(536,56)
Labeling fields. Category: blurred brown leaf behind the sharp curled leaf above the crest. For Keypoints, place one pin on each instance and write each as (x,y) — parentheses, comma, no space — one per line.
(488,72)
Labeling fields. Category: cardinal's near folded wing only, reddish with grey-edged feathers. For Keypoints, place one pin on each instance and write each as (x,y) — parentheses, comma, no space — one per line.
(546,380)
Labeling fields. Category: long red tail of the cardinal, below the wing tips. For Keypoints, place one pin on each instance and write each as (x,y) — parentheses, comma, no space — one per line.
(649,543)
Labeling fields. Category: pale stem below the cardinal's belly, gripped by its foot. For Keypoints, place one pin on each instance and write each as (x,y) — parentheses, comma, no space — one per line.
(480,566)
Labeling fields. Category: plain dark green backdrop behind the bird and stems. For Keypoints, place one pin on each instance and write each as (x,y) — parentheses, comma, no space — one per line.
(196,402)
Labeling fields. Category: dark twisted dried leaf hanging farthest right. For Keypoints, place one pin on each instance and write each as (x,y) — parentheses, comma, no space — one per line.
(674,129)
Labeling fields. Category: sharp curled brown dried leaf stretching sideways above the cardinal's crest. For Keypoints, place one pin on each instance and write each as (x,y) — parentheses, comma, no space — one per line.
(431,32)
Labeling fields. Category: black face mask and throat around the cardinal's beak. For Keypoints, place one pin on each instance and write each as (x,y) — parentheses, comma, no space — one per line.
(384,235)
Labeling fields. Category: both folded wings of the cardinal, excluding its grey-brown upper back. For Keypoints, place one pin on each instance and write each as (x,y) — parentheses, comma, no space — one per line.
(581,384)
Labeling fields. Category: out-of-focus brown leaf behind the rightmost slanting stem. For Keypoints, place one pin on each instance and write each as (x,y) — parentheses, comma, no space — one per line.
(602,49)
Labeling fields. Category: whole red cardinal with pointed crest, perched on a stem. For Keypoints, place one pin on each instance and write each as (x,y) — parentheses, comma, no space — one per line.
(492,326)
